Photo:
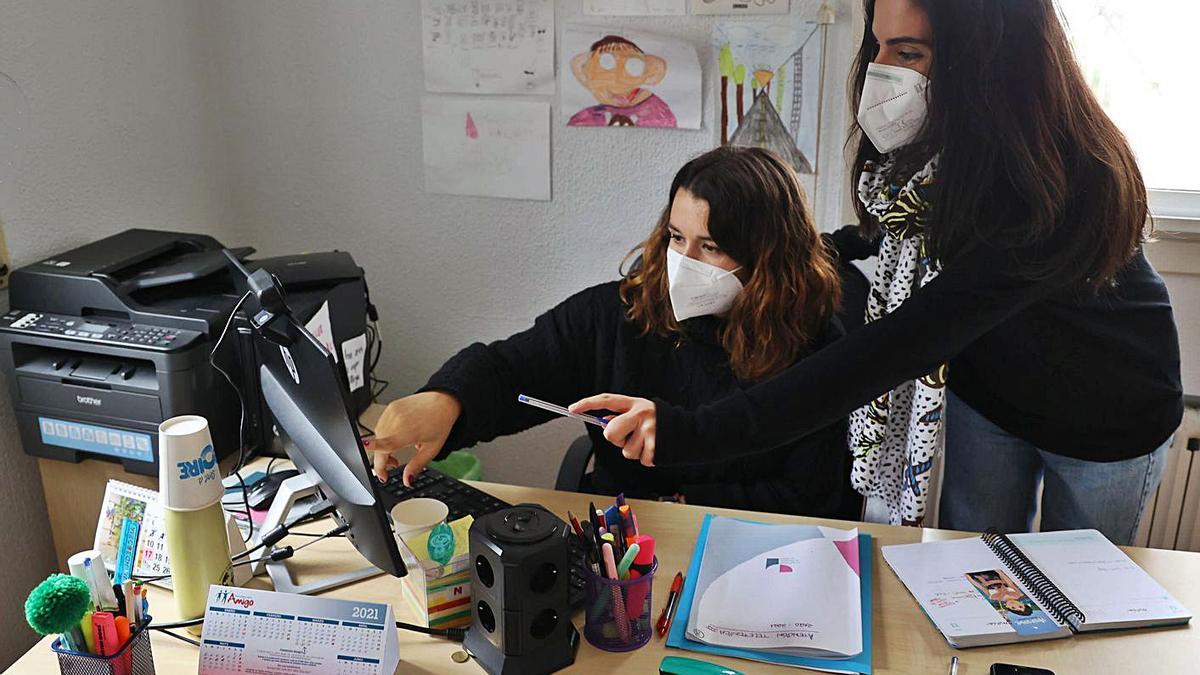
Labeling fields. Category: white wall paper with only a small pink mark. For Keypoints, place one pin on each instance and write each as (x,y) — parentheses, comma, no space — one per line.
(487,147)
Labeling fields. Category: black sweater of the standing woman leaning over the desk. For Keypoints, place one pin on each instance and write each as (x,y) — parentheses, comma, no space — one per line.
(1088,375)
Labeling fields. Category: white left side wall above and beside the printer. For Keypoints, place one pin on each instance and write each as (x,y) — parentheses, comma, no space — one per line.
(122,134)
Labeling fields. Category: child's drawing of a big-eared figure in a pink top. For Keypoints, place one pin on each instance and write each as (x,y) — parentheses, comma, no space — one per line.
(628,80)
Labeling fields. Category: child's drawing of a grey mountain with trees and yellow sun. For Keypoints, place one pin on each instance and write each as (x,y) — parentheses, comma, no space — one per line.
(771,79)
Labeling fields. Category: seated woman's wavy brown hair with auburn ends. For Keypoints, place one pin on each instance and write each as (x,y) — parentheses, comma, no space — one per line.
(757,214)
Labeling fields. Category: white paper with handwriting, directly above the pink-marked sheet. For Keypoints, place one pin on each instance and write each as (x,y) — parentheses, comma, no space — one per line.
(489,46)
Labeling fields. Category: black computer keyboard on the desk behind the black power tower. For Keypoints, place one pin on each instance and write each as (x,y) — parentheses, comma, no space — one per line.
(464,500)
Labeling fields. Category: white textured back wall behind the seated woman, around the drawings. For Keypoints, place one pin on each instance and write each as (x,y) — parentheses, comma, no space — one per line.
(322,117)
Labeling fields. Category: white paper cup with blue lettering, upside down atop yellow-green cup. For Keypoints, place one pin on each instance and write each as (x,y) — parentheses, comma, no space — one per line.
(189,476)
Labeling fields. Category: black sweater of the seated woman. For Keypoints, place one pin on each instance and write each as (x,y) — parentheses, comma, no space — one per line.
(587,347)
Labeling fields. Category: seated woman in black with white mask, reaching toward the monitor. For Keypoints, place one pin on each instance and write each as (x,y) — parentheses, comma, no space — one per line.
(733,286)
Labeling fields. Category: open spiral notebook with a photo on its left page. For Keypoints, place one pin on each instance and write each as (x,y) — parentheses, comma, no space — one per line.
(1000,589)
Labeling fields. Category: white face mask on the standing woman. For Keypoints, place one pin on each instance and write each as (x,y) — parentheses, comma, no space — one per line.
(893,106)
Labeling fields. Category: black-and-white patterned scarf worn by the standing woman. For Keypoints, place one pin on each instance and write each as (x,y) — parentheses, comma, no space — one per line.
(896,438)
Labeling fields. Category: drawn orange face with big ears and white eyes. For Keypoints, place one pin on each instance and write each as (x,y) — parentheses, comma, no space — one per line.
(616,73)
